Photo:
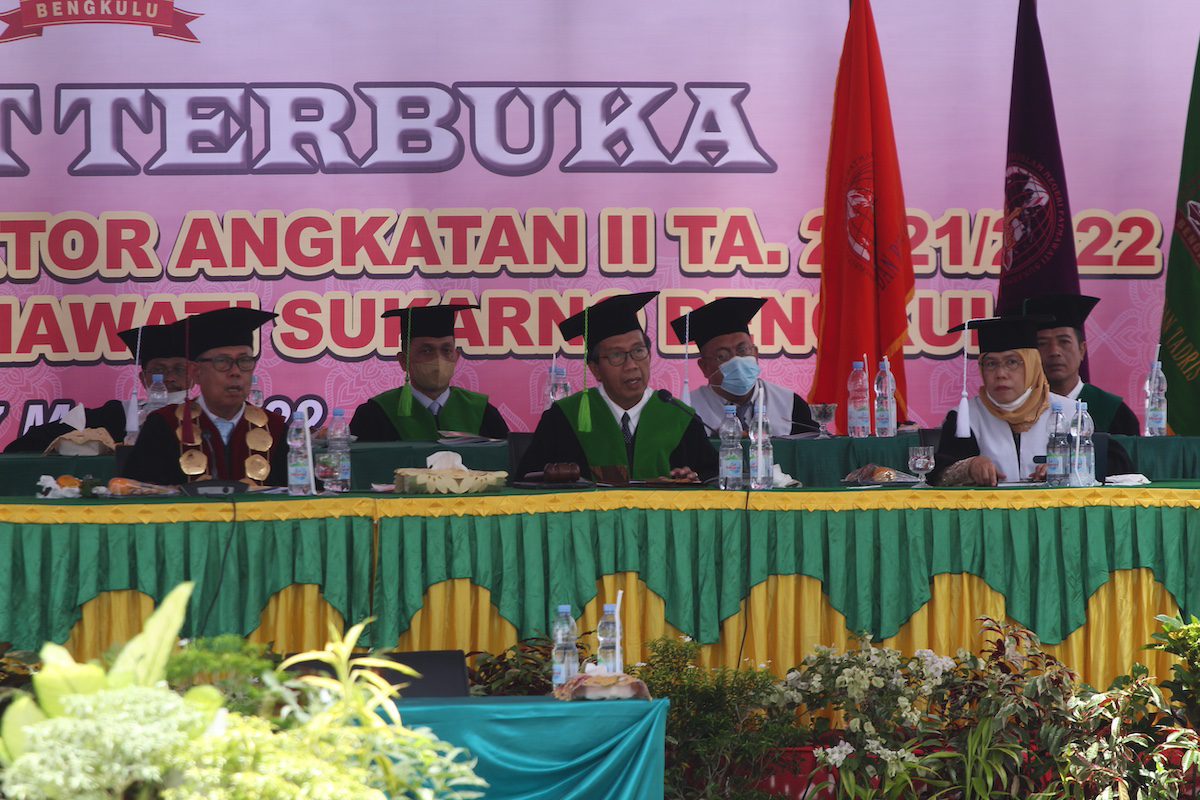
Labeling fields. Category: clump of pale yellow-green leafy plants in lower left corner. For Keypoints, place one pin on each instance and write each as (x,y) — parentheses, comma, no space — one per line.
(123,733)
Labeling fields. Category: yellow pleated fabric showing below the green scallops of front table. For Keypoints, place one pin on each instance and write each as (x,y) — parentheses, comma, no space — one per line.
(788,617)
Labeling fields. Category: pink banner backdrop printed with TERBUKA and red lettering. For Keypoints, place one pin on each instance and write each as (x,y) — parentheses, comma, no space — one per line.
(531,157)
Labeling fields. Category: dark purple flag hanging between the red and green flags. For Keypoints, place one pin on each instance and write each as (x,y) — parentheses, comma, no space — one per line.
(1040,237)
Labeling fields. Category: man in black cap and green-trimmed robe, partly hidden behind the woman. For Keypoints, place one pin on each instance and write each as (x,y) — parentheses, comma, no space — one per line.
(1064,346)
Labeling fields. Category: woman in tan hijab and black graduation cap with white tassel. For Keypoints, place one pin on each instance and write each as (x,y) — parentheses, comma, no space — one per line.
(1010,419)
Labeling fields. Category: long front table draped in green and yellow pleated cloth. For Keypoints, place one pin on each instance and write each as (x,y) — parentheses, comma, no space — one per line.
(763,576)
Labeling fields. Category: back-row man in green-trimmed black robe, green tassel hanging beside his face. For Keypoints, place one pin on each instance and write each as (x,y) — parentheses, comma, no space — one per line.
(429,360)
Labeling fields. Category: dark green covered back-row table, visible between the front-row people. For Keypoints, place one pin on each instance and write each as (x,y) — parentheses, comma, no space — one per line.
(819,464)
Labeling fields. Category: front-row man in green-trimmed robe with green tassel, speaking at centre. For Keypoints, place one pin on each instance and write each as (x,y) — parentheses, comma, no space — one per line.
(623,429)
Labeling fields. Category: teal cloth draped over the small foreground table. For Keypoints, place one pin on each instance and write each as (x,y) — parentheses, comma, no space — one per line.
(541,749)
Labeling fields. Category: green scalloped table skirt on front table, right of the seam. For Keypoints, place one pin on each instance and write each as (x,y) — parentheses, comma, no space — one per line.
(875,566)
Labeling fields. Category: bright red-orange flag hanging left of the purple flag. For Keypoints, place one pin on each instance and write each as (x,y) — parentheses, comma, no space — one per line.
(867,270)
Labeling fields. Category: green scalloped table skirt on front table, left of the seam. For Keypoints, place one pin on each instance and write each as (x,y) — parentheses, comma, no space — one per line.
(50,572)
